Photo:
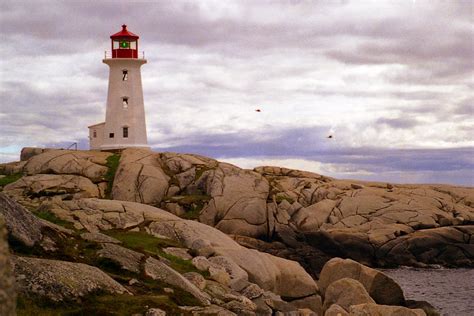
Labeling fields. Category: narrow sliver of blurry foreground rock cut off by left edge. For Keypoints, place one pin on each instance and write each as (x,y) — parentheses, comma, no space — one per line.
(7,279)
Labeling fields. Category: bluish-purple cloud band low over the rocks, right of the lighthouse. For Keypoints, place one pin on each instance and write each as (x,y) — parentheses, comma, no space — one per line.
(312,143)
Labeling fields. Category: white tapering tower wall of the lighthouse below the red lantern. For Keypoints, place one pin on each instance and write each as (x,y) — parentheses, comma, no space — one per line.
(117,116)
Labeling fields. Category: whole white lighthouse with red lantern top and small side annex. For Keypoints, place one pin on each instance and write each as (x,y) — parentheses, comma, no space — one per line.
(124,124)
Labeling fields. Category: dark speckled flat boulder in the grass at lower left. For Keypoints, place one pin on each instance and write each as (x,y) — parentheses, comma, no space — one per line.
(61,281)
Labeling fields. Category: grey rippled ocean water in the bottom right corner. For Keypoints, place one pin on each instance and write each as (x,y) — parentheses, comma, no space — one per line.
(451,291)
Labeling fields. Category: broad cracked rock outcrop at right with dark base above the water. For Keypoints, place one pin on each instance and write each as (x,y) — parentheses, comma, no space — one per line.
(366,221)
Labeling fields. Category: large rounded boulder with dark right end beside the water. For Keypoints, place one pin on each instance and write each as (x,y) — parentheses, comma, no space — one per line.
(383,289)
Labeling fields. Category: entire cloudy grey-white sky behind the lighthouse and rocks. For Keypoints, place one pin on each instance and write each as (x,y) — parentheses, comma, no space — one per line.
(392,81)
